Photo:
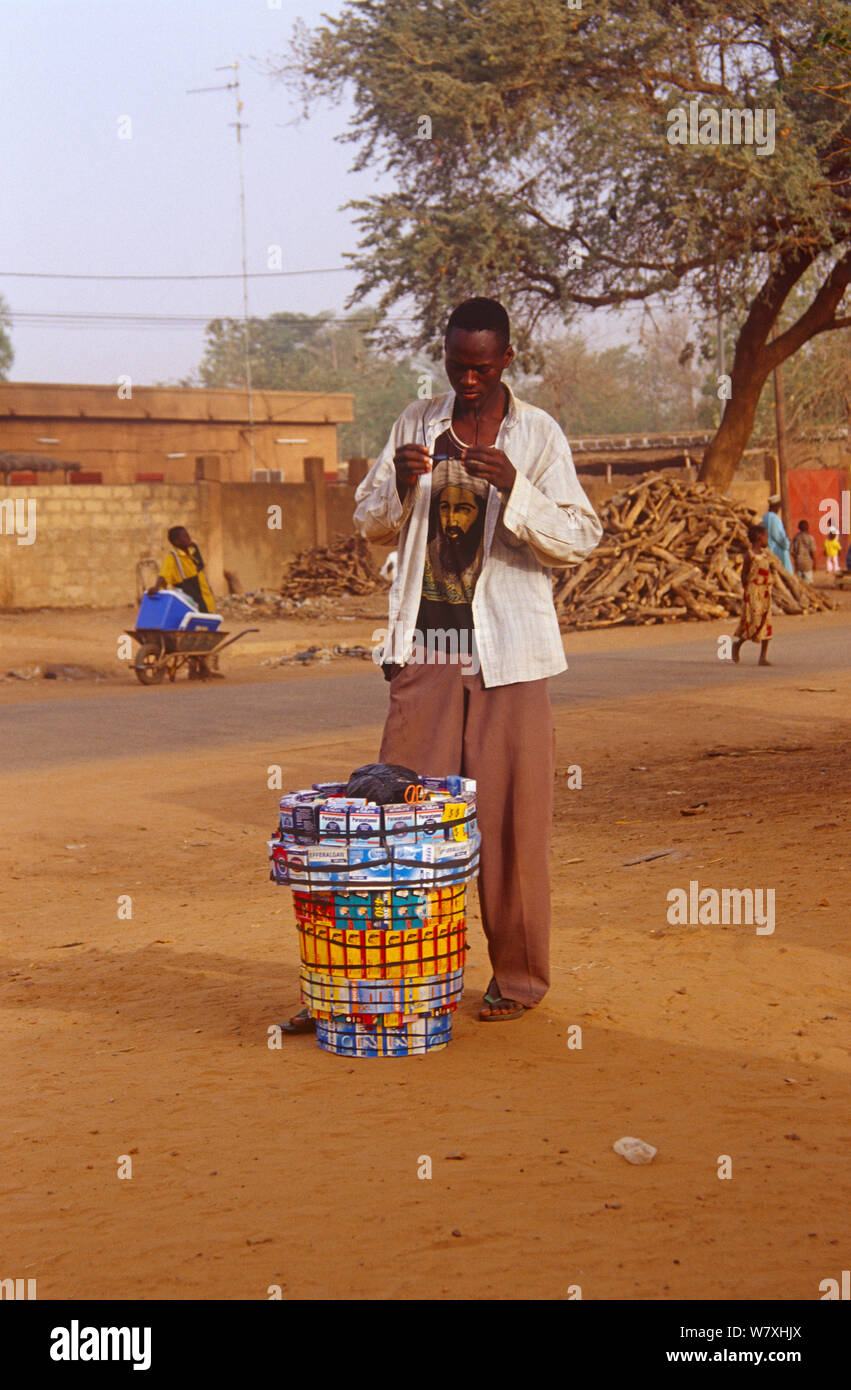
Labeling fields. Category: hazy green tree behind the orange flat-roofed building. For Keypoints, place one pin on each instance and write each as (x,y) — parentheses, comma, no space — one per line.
(302,352)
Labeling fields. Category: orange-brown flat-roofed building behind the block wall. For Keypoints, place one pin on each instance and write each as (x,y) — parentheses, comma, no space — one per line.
(155,434)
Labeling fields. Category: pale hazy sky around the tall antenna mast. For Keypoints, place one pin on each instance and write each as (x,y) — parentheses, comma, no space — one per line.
(79,199)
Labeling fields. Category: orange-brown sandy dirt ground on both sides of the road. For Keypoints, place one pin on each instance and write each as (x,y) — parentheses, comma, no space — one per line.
(255,1167)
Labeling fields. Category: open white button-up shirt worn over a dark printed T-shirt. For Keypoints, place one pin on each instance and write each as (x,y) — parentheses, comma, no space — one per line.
(546,523)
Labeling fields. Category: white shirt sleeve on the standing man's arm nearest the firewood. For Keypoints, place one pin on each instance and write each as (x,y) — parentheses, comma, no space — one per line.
(550,511)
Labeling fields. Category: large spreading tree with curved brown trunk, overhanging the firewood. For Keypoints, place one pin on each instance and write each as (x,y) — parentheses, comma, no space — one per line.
(537,155)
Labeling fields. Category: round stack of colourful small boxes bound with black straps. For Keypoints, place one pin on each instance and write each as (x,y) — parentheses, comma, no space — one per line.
(380,901)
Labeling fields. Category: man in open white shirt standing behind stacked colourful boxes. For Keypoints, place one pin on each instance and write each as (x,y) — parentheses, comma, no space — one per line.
(482,494)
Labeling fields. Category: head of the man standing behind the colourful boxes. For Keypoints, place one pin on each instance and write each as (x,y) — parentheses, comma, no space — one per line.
(478,351)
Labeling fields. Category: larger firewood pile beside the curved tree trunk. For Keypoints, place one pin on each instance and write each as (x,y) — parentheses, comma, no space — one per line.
(670,551)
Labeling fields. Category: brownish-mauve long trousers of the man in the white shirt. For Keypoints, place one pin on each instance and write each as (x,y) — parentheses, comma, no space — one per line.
(444,722)
